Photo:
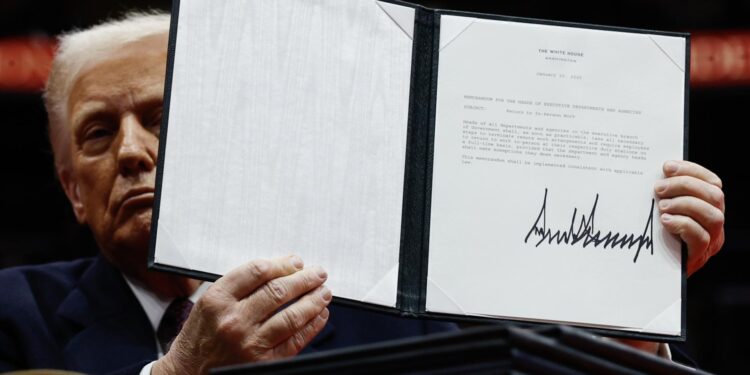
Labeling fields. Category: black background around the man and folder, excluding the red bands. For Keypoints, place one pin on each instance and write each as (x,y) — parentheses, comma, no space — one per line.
(37,224)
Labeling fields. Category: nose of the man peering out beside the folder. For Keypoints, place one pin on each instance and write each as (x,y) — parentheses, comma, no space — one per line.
(137,150)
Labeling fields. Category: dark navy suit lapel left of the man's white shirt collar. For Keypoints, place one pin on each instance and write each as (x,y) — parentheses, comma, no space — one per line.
(114,330)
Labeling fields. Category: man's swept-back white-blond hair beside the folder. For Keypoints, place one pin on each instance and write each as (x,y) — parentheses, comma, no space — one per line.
(79,49)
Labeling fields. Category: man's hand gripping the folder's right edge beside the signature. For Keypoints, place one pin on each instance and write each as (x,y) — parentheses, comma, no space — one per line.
(692,206)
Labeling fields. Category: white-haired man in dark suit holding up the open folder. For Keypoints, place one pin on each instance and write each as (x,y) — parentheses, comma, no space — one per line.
(104,99)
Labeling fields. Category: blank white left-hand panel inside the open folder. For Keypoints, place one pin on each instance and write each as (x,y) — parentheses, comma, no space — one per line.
(287,134)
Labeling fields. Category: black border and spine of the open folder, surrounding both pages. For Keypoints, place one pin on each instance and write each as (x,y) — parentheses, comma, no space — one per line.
(411,297)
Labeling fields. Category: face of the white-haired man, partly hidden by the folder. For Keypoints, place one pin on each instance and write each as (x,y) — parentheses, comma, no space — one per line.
(115,112)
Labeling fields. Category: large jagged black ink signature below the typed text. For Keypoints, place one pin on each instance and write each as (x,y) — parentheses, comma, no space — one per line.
(589,235)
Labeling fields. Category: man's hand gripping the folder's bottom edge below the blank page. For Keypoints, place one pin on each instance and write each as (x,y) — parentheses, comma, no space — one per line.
(242,317)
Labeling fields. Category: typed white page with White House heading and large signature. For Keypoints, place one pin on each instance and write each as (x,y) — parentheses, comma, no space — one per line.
(548,141)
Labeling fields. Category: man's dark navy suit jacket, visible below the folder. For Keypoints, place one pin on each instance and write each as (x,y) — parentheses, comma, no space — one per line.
(82,316)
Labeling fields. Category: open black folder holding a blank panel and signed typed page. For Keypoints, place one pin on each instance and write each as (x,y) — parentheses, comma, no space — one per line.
(435,163)
